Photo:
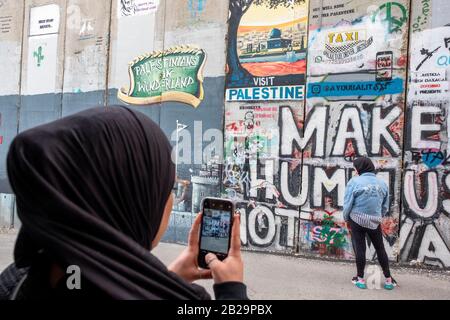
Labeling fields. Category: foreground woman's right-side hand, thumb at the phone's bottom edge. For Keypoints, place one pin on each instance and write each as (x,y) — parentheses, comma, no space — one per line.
(232,268)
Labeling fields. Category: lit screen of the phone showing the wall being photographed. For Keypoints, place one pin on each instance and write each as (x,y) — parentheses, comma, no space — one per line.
(215,230)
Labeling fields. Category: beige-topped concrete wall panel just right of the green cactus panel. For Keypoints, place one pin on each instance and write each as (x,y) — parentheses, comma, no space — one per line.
(86,55)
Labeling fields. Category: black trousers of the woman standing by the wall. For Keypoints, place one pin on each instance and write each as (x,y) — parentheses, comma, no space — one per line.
(359,245)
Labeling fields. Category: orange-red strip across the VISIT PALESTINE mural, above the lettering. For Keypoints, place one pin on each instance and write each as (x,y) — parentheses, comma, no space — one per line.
(264,69)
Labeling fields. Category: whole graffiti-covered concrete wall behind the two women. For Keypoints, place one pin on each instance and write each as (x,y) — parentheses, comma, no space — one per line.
(265,102)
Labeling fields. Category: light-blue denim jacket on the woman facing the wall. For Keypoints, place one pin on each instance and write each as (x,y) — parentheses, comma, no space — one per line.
(366,194)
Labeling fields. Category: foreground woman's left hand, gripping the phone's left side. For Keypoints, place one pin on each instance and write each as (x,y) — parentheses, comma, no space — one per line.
(186,265)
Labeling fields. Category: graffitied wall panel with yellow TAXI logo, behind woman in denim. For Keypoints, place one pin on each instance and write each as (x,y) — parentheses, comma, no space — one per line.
(356,70)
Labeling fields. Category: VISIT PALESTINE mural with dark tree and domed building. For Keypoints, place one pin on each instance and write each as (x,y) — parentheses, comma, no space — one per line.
(267,44)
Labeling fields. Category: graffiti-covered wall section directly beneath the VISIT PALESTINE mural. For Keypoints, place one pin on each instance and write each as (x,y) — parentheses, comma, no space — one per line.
(256,176)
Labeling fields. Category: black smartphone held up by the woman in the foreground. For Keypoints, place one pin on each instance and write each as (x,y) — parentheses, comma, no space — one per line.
(215,229)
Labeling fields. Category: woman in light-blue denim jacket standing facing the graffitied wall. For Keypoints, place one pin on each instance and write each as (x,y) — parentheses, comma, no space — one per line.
(366,203)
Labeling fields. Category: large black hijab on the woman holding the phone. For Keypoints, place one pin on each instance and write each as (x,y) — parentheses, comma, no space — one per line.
(91,190)
